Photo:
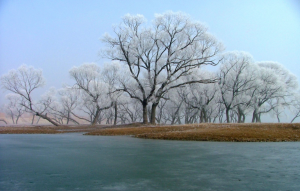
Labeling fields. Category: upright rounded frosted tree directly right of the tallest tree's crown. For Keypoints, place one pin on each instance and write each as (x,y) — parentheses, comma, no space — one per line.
(237,76)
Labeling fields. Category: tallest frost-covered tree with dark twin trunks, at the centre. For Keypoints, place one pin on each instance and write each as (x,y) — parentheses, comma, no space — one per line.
(157,56)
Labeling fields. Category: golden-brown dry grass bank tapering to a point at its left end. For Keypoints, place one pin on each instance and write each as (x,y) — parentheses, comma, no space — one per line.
(248,132)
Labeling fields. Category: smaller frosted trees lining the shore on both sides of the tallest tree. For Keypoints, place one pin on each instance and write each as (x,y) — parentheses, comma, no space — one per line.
(244,89)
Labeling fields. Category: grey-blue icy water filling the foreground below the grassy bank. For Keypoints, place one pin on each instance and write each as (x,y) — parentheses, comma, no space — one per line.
(76,162)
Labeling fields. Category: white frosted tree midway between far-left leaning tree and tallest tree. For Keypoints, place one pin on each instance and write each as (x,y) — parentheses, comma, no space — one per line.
(94,91)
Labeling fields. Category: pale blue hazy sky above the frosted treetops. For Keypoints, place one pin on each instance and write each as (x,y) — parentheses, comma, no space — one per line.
(55,35)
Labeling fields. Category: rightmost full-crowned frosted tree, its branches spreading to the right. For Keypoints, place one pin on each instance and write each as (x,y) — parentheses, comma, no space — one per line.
(273,82)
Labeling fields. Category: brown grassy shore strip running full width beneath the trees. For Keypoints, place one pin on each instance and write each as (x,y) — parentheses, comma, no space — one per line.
(233,132)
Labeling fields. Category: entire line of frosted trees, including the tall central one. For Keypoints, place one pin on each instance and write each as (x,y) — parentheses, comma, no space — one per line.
(157,74)
